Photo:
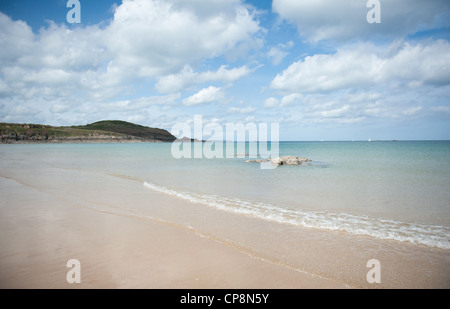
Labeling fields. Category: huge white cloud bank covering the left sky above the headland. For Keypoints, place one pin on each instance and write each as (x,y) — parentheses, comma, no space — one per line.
(78,69)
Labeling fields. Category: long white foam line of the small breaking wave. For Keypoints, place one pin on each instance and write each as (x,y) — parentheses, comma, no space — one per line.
(429,235)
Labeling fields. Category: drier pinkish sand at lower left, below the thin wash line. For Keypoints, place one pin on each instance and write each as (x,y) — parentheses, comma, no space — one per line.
(42,230)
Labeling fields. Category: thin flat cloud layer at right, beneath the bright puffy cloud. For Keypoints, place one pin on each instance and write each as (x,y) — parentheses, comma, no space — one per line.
(366,108)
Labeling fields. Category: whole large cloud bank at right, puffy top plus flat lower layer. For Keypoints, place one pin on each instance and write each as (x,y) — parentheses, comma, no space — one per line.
(362,83)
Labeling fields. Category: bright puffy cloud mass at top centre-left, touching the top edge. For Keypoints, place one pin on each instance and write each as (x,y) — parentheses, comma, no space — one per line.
(151,38)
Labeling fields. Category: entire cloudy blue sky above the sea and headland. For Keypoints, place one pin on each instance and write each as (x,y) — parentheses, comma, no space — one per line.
(317,68)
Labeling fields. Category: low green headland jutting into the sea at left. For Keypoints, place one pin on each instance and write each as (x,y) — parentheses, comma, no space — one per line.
(101,131)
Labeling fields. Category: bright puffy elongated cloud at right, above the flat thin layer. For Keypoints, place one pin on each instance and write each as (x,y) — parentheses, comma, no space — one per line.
(364,65)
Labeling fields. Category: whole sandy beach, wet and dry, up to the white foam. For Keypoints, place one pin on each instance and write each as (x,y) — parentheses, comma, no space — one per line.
(126,236)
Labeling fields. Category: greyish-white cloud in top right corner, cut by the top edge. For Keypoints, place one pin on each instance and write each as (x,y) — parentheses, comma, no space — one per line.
(346,19)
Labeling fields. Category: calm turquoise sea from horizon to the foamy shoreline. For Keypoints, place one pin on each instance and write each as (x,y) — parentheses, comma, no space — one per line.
(388,190)
